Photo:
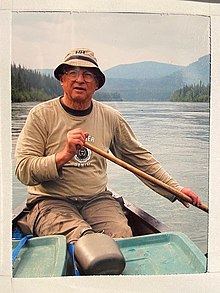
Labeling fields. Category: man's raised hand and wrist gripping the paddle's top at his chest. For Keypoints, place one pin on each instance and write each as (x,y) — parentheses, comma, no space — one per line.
(75,139)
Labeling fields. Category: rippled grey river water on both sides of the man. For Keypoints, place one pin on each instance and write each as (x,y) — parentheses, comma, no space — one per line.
(178,136)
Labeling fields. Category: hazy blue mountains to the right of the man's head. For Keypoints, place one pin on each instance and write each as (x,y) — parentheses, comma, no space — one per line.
(140,88)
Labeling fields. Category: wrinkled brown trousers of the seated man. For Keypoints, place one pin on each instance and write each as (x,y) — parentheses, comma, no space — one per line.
(71,216)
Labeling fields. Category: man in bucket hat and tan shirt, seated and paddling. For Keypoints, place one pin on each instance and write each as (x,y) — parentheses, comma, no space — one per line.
(67,183)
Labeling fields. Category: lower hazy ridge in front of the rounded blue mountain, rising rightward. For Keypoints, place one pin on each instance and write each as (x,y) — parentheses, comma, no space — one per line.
(161,88)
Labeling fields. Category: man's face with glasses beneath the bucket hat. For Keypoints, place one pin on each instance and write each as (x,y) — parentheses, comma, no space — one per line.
(79,84)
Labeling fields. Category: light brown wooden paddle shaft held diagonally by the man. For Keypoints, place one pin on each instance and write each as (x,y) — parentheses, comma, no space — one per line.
(144,175)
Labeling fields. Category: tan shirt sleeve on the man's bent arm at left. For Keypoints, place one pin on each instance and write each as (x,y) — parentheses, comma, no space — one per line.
(33,165)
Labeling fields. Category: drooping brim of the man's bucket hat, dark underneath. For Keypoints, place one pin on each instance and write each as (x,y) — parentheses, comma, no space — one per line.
(81,63)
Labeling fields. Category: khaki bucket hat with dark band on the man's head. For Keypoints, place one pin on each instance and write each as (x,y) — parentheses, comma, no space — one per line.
(81,57)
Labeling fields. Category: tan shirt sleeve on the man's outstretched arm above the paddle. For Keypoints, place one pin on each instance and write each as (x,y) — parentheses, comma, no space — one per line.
(126,147)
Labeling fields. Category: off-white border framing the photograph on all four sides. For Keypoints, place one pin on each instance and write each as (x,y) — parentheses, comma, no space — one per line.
(208,282)
